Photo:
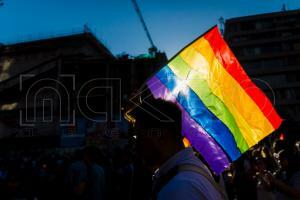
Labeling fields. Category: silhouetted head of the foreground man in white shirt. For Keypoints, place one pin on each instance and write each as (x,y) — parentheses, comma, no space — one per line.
(158,131)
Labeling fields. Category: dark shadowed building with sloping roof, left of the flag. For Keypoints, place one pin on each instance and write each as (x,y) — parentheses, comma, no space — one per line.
(66,91)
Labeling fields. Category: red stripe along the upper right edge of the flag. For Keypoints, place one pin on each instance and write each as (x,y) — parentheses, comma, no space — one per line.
(233,67)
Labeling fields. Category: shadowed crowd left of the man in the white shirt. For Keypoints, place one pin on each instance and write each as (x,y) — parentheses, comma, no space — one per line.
(85,173)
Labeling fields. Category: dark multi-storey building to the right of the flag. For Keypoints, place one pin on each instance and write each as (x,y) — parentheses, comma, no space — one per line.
(268,47)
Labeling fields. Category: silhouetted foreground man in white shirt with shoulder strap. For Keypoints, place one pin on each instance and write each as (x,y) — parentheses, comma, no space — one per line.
(178,173)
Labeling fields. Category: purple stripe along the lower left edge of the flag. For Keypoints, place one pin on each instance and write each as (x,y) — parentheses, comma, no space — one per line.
(198,137)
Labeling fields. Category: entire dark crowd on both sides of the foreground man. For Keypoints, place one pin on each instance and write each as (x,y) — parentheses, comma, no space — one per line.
(265,172)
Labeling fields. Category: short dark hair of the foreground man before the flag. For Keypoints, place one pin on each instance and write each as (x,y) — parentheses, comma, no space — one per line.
(160,114)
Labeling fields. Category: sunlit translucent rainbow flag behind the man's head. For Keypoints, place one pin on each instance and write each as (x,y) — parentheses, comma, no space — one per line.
(224,112)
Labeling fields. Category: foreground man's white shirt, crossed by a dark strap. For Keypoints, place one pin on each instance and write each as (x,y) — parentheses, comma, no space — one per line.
(186,184)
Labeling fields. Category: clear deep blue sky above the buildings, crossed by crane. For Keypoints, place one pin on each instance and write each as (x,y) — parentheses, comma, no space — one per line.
(172,23)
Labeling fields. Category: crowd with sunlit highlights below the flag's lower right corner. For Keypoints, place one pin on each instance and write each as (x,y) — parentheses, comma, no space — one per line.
(267,172)
